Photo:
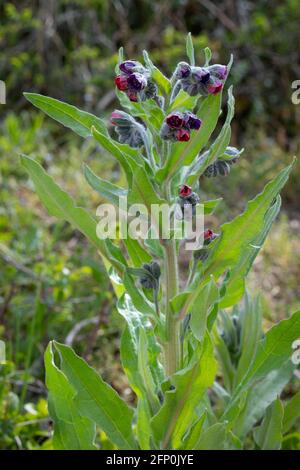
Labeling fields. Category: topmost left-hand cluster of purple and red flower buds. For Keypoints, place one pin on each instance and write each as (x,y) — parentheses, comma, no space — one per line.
(134,80)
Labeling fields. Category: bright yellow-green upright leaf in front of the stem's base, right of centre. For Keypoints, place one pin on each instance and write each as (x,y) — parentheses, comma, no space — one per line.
(176,415)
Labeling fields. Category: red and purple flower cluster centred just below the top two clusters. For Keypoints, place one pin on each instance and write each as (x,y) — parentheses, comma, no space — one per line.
(177,126)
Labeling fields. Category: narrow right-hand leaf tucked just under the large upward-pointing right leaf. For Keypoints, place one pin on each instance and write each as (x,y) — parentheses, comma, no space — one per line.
(235,286)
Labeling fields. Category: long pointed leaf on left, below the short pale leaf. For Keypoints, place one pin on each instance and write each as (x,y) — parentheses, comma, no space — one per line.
(61,205)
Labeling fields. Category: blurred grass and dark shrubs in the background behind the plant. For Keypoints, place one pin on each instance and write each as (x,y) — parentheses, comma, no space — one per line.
(52,284)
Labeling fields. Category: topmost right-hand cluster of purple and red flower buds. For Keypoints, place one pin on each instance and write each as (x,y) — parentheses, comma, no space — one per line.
(201,80)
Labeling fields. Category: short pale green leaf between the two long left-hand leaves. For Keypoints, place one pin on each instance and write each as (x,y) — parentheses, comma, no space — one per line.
(108,190)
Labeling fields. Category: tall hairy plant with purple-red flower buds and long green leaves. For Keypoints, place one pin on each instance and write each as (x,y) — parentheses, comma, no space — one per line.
(204,378)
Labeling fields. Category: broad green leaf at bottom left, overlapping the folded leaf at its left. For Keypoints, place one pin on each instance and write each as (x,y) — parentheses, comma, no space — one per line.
(97,400)
